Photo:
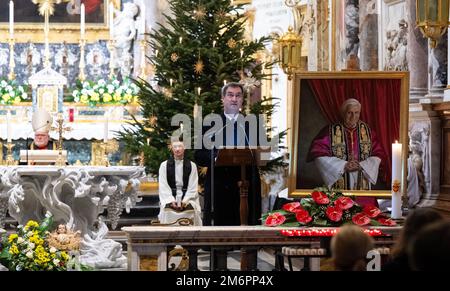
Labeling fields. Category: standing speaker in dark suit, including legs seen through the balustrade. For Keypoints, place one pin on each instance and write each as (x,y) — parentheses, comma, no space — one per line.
(230,129)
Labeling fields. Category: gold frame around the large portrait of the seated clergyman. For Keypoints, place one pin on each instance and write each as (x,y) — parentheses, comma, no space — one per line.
(294,133)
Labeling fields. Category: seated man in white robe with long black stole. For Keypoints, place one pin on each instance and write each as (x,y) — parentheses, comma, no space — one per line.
(178,184)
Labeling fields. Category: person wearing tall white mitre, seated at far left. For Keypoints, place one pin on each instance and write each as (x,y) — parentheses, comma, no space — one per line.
(42,123)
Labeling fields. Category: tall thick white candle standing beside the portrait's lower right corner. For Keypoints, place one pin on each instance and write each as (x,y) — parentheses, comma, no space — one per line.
(396,211)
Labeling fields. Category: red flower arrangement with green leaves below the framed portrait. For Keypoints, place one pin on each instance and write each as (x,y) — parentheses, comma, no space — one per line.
(326,208)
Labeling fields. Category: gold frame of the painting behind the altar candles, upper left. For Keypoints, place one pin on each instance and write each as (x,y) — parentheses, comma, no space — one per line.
(26,31)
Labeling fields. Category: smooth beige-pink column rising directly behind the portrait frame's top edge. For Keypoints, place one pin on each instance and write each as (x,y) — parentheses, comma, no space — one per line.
(368,19)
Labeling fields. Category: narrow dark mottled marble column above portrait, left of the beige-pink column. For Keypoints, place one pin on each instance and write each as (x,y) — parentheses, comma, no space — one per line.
(351,27)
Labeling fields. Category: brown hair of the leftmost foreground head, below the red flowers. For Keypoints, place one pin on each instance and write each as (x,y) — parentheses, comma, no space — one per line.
(349,248)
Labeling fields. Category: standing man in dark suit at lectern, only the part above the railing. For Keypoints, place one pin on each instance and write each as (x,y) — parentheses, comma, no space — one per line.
(233,131)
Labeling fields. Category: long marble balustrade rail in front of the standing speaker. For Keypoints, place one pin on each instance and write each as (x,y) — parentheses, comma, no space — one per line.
(152,242)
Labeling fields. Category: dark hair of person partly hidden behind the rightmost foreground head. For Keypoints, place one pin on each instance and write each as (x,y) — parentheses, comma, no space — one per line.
(415,221)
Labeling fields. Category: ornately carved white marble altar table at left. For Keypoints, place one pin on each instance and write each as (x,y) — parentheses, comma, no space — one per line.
(74,196)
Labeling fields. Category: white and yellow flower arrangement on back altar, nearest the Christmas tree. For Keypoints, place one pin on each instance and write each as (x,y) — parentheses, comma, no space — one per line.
(106,92)
